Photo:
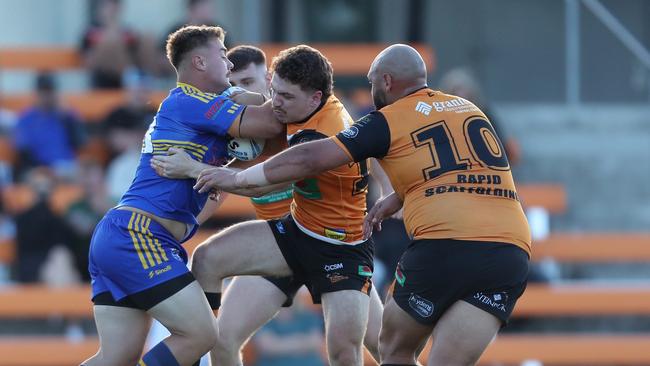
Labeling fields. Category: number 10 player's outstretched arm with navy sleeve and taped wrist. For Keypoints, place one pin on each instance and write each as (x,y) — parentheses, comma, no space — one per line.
(368,137)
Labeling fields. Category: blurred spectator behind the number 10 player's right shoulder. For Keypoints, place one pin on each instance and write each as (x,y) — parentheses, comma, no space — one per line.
(462,83)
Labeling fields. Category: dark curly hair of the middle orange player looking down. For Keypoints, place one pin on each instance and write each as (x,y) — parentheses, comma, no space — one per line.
(305,66)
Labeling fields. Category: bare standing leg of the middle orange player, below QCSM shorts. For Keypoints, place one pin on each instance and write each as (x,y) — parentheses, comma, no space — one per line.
(346,318)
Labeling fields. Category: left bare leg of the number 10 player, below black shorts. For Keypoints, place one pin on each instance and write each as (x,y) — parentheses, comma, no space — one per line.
(401,338)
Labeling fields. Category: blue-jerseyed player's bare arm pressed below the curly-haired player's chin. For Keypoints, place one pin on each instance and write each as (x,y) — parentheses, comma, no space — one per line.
(256,121)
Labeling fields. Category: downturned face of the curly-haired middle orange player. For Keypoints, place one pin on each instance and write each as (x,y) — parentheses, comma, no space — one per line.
(290,102)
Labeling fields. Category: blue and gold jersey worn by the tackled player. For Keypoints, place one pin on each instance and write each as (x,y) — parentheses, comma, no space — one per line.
(196,122)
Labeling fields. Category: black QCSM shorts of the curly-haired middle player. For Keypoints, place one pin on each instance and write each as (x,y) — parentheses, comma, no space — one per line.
(323,267)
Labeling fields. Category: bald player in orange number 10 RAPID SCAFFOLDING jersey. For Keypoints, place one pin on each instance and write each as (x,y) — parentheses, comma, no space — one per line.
(467,265)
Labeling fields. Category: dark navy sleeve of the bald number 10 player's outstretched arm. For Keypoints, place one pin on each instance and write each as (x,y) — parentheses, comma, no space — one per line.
(369,137)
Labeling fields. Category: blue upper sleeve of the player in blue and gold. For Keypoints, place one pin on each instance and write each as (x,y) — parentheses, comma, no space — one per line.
(212,113)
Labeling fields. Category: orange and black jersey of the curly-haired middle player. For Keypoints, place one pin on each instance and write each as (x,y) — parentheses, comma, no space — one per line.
(331,205)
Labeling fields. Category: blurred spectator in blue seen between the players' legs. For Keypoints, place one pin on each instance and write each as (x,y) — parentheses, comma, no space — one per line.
(293,338)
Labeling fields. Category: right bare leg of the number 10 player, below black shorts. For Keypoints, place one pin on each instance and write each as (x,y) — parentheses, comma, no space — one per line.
(461,335)
